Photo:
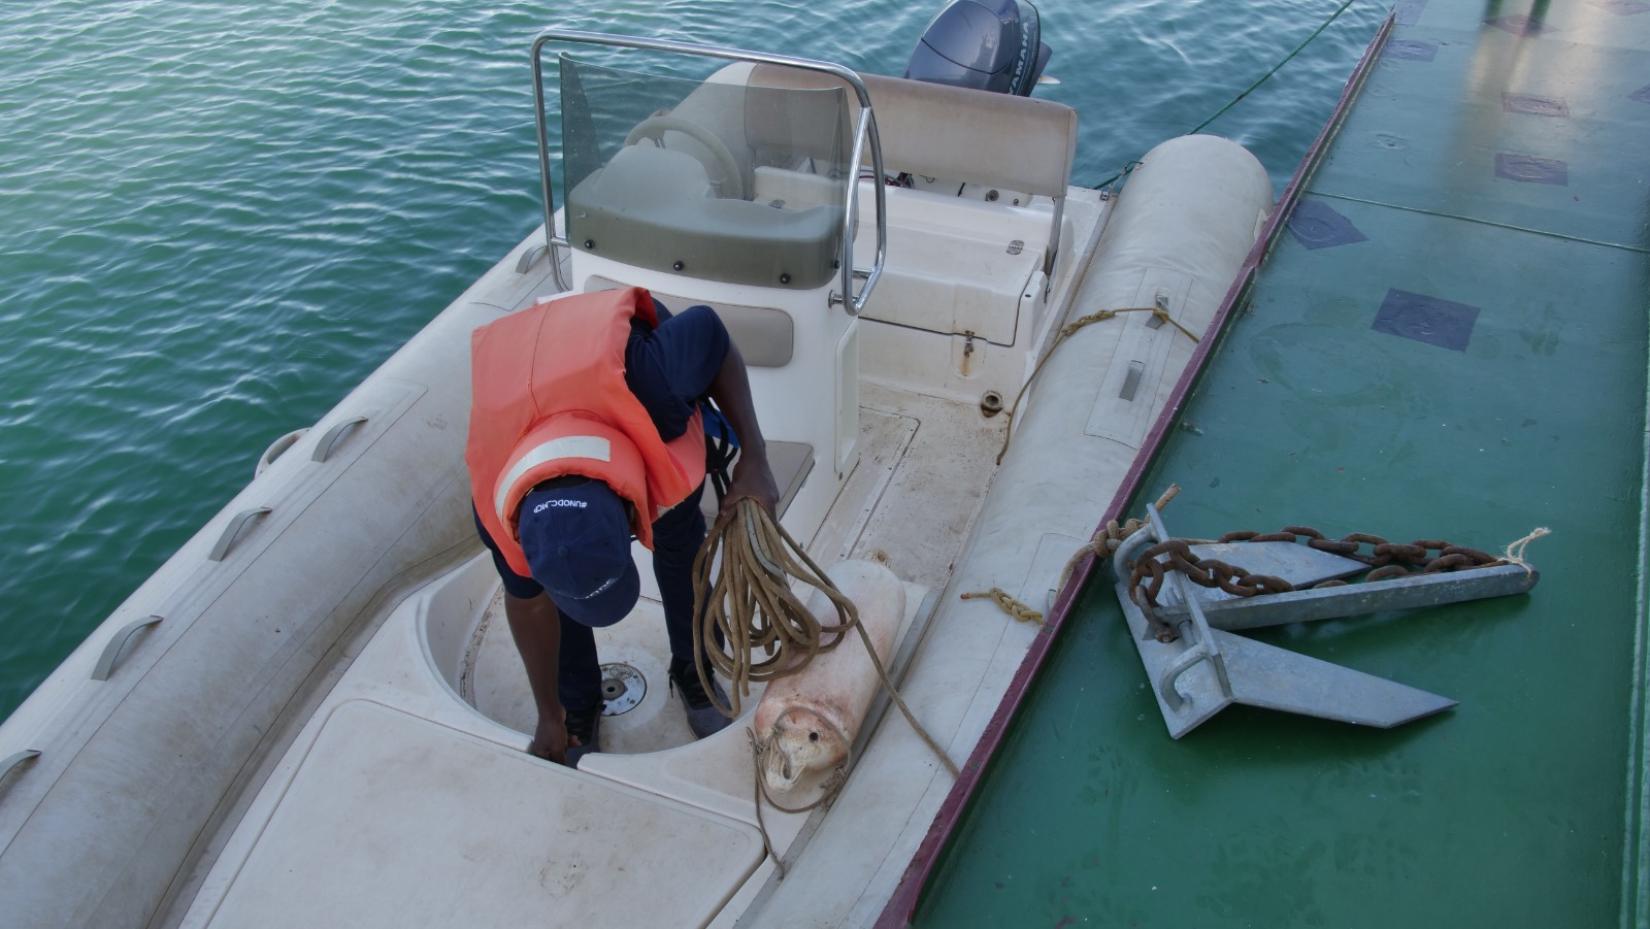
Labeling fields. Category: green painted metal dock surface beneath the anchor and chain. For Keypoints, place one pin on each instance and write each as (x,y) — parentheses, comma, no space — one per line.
(1450,341)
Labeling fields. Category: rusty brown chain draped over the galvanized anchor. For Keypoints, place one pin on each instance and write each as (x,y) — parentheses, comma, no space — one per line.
(1385,559)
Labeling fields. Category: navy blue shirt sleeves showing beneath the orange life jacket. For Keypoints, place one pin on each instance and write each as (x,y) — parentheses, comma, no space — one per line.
(671,370)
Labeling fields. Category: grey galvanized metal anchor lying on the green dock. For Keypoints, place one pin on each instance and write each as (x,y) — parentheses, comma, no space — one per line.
(1207,667)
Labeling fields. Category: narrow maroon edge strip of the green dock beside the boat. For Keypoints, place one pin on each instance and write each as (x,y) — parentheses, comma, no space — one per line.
(907,895)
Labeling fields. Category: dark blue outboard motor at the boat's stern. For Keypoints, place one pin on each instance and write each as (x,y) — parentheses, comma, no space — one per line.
(984,45)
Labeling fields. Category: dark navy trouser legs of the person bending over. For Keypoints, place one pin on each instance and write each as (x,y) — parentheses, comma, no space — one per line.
(677,539)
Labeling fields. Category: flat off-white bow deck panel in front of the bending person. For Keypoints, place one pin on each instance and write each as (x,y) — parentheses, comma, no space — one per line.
(398,823)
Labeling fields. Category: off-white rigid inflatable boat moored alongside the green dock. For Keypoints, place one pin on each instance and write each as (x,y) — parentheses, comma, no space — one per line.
(314,715)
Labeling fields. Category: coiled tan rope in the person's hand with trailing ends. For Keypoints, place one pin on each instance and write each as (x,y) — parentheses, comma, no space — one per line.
(755,610)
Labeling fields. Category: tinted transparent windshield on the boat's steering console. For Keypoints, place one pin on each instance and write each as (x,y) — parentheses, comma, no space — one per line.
(740,177)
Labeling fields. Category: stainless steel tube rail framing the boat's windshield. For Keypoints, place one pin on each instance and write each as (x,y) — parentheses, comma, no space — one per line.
(867,131)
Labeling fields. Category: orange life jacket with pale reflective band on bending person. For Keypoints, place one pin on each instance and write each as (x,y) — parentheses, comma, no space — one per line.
(549,398)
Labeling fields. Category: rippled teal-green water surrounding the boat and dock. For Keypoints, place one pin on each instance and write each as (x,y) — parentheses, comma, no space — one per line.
(215,219)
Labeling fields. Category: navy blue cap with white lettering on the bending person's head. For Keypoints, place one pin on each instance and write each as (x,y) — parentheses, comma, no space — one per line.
(577,537)
